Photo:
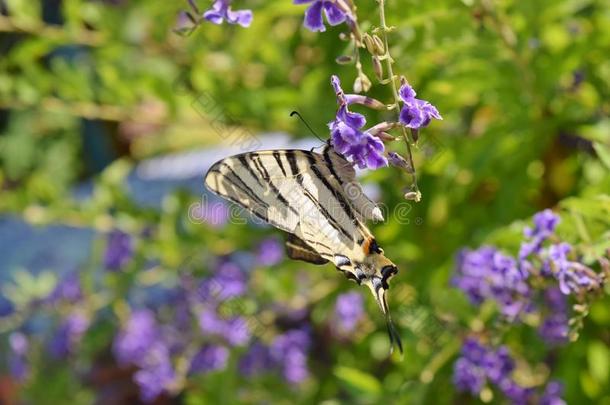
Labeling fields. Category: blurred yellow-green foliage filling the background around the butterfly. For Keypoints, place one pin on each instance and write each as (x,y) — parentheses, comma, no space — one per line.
(524,89)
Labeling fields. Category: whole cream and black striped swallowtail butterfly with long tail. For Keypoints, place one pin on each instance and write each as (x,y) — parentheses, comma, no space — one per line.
(315,198)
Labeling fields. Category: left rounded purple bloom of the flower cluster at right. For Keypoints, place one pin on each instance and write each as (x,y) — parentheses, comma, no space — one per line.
(488,274)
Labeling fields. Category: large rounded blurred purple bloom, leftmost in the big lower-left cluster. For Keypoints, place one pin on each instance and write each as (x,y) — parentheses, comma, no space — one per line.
(133,342)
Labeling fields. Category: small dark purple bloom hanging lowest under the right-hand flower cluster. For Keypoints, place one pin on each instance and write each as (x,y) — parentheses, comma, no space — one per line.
(555,327)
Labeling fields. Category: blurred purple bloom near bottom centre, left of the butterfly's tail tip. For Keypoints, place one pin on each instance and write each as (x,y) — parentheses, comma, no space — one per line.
(289,350)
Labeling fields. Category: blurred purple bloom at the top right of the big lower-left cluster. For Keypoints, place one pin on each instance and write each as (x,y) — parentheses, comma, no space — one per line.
(228,282)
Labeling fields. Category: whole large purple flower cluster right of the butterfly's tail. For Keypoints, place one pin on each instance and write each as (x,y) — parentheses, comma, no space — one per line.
(539,280)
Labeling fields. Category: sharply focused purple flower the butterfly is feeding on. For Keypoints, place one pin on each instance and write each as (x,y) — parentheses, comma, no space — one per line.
(348,139)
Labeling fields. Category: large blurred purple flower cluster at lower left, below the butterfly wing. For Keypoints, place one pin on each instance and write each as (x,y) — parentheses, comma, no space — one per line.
(152,345)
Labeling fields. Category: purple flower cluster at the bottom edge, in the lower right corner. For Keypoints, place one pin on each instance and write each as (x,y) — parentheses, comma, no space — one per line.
(480,365)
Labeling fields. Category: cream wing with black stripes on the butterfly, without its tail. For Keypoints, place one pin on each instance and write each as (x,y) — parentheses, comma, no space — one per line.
(301,192)
